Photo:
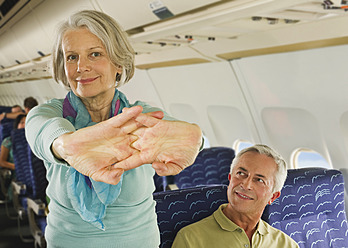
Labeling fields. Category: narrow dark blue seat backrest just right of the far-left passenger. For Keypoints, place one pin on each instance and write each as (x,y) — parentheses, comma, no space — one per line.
(20,157)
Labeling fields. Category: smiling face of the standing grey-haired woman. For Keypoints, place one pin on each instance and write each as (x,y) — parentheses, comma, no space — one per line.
(88,68)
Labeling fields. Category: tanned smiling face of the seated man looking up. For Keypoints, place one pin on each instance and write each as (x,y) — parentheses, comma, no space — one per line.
(251,183)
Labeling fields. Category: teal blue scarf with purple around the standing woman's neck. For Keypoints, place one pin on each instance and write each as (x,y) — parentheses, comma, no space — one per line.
(88,197)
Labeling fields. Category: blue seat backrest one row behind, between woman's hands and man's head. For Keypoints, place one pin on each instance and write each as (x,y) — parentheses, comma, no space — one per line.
(211,166)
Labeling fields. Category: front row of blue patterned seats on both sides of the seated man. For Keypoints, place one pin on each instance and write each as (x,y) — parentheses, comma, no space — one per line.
(310,209)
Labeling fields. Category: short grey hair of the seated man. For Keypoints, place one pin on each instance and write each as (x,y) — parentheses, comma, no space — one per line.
(280,176)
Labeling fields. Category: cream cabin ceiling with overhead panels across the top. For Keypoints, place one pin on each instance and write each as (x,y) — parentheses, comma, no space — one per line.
(198,31)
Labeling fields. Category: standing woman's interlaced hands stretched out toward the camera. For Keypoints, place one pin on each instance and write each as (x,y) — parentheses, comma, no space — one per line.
(126,141)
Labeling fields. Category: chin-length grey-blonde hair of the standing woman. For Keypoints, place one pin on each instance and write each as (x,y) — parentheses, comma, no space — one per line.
(108,31)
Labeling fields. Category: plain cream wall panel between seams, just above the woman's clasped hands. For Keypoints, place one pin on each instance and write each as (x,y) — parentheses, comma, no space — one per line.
(206,94)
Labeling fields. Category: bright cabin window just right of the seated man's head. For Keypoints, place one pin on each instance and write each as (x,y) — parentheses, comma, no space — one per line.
(302,158)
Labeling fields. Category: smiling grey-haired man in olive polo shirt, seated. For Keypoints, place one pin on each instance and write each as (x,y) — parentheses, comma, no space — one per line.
(256,177)
